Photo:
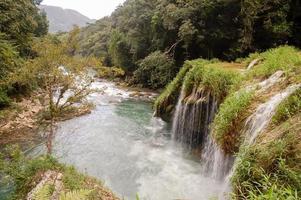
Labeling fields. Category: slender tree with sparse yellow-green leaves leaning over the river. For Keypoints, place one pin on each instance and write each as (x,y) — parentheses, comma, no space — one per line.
(62,76)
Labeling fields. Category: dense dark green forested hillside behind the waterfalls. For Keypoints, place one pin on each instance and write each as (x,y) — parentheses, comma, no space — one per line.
(190,29)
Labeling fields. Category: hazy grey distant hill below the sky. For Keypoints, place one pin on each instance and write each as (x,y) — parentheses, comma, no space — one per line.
(64,19)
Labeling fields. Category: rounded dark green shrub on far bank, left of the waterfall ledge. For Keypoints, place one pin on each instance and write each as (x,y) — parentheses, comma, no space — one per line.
(155,71)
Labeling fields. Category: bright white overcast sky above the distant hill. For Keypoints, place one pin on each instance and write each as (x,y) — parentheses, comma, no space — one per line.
(94,9)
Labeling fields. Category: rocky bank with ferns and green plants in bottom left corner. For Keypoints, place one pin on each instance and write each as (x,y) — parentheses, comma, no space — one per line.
(44,178)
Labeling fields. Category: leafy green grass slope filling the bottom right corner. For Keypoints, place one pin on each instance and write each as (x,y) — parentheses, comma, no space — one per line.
(271,169)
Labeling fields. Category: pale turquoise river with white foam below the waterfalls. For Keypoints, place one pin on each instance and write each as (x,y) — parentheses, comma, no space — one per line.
(132,152)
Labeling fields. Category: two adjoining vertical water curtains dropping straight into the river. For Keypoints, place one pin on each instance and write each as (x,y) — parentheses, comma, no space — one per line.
(191,127)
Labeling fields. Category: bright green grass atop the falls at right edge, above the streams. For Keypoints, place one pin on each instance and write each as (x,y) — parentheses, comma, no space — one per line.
(285,58)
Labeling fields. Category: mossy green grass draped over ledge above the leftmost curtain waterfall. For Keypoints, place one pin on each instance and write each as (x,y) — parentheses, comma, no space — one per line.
(208,74)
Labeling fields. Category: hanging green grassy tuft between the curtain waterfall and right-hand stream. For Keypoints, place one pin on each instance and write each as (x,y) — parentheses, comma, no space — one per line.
(226,123)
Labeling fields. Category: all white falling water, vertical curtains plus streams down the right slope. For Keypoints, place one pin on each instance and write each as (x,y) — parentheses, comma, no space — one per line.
(194,114)
